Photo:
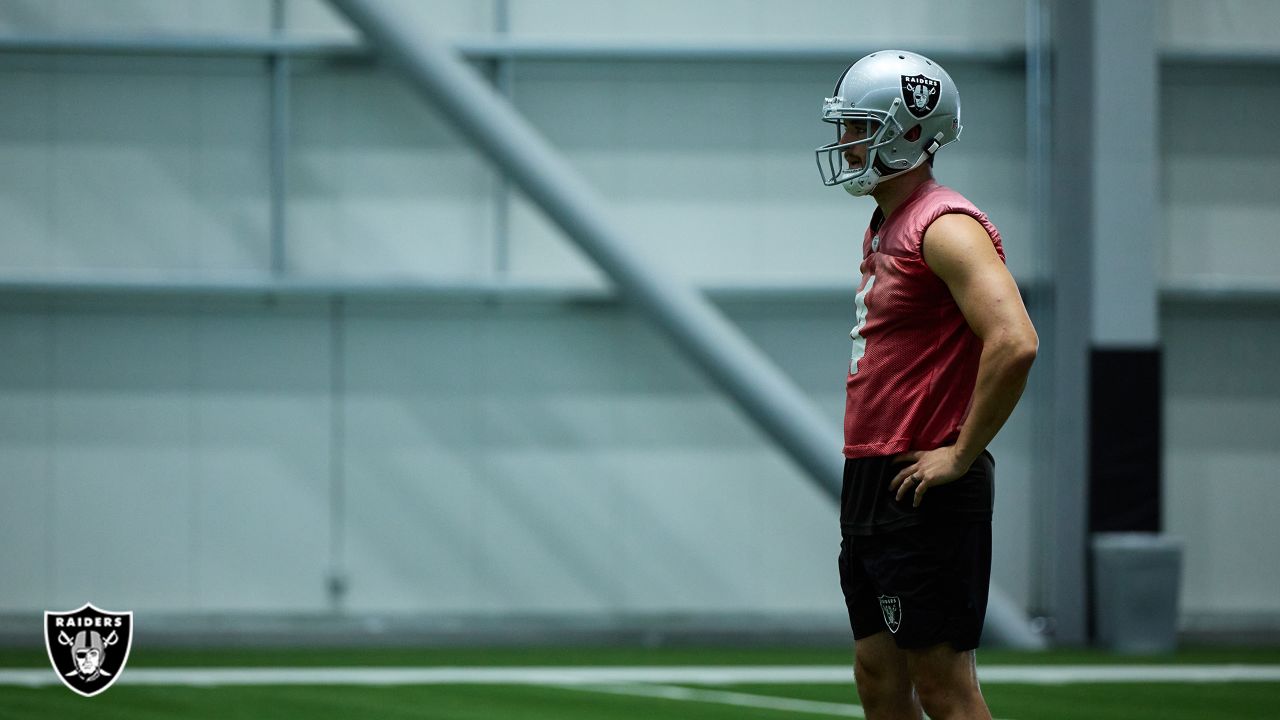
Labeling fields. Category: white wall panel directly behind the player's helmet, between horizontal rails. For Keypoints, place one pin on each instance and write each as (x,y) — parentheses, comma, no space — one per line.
(710,168)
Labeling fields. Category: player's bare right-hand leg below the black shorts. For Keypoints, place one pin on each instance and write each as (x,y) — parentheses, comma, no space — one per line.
(947,682)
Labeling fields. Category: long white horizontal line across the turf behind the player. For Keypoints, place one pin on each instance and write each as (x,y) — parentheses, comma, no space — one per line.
(696,676)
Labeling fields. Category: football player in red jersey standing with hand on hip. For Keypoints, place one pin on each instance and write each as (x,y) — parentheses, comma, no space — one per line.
(941,350)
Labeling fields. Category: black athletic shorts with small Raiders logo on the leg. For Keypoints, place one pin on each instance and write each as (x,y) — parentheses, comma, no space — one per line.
(926,585)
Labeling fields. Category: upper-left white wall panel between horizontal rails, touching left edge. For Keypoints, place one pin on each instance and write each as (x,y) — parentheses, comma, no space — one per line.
(117,165)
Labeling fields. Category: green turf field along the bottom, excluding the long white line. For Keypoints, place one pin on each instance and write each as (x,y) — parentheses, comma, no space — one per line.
(625,701)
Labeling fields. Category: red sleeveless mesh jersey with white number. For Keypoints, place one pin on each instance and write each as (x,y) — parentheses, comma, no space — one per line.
(916,361)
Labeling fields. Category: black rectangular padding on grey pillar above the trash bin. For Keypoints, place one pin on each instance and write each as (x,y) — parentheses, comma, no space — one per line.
(1124,440)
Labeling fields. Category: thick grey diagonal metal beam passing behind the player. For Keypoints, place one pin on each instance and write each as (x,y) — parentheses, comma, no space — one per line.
(729,359)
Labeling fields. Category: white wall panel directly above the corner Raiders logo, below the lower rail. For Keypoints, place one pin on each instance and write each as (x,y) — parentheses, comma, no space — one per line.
(122,472)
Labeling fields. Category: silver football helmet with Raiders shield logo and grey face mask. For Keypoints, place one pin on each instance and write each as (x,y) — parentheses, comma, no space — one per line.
(900,106)
